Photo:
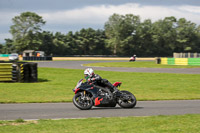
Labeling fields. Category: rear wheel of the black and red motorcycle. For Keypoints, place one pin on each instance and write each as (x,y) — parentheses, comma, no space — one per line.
(127,100)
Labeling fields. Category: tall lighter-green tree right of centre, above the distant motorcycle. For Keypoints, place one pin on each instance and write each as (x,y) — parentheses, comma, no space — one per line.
(119,28)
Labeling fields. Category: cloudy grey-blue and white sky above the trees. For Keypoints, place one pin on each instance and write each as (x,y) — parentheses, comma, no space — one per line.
(73,15)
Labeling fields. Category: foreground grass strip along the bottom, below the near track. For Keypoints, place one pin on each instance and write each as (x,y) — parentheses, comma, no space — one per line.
(153,124)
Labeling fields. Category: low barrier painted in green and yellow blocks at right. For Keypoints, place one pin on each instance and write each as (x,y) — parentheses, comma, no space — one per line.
(180,61)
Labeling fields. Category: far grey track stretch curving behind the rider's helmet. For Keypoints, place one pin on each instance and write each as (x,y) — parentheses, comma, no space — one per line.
(78,65)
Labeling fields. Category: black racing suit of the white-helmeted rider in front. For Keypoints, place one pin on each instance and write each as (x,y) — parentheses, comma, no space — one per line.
(97,80)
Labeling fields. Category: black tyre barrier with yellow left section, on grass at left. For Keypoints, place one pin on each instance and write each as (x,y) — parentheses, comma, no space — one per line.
(18,72)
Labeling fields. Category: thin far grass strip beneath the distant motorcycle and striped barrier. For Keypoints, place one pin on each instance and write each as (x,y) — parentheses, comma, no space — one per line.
(141,64)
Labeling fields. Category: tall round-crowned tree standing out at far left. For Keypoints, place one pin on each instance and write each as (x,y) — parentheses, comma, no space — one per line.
(24,30)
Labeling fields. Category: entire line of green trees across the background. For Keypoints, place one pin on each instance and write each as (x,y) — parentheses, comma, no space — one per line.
(123,35)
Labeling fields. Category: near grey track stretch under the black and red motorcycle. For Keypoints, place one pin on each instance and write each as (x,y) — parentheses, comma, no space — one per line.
(68,110)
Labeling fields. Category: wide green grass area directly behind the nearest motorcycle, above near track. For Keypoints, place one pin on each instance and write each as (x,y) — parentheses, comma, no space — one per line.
(55,85)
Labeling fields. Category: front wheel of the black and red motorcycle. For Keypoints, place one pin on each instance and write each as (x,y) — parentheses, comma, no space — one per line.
(83,102)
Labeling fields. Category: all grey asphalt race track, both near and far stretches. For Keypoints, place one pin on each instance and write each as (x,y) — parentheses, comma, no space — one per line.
(68,110)
